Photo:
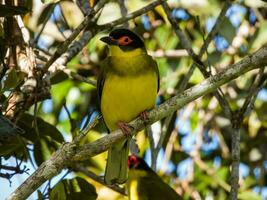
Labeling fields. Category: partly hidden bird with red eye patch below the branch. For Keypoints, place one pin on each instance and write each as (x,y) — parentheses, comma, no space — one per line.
(144,184)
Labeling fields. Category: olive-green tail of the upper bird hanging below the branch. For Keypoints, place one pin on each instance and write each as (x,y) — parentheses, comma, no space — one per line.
(116,168)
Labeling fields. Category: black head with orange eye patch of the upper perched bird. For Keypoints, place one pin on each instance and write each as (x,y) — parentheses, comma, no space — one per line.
(124,38)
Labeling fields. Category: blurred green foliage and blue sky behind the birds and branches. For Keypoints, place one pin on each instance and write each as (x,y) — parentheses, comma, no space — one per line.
(194,157)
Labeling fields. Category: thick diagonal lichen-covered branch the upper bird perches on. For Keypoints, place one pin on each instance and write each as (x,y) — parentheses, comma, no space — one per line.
(71,152)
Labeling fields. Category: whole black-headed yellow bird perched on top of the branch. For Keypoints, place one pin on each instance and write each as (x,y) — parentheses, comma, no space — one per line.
(127,87)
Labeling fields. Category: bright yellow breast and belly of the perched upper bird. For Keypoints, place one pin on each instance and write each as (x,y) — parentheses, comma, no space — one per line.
(125,97)
